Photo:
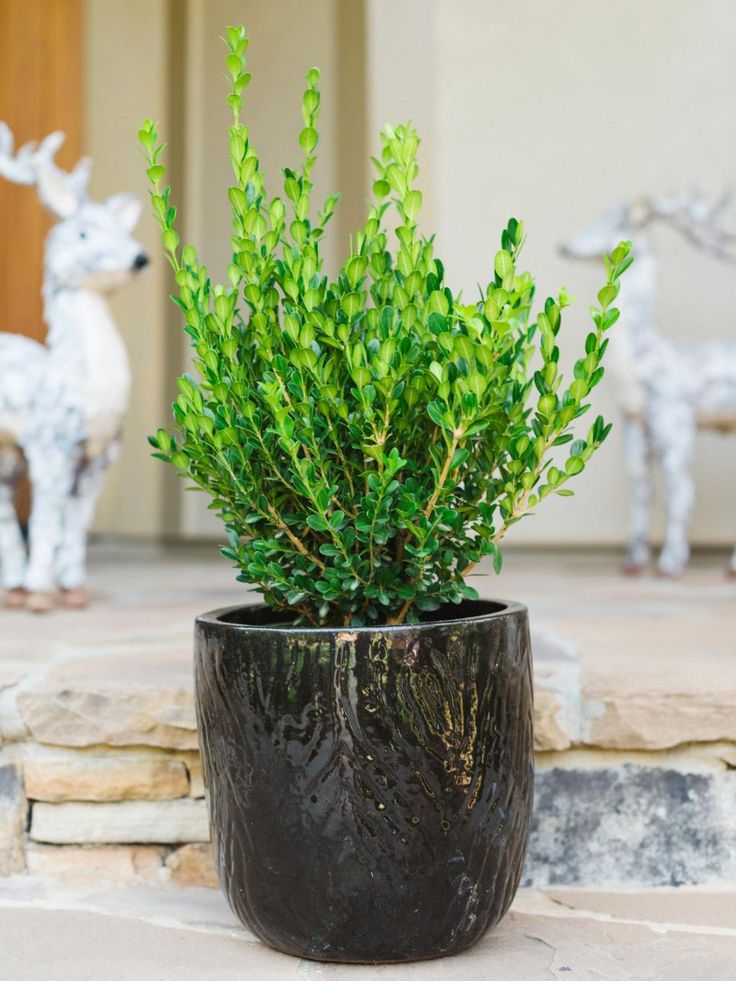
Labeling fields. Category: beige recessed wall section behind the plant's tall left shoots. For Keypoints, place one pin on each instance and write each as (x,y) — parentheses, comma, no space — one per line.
(287,38)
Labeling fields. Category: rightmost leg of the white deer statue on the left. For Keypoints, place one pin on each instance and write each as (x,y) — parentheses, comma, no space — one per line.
(71,561)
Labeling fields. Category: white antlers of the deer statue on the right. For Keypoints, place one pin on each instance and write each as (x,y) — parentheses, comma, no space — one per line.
(705,223)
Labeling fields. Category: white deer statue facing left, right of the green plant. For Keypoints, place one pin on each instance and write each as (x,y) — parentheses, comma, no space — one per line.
(666,390)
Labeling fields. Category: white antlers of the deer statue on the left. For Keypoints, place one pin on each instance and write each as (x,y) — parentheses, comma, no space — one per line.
(62,192)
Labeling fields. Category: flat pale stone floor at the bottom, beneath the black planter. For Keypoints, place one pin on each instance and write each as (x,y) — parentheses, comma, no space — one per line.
(57,932)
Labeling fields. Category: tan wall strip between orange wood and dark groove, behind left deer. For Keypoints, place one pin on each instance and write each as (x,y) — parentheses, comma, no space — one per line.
(127,74)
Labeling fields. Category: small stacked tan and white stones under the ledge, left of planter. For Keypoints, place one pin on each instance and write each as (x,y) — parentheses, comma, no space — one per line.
(115,813)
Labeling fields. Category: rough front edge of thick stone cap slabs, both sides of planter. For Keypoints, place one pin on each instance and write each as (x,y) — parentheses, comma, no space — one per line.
(147,700)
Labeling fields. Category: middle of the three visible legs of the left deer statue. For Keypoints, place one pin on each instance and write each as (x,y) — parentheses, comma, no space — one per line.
(52,478)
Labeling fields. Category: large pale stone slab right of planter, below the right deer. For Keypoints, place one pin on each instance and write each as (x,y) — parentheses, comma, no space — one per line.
(657,657)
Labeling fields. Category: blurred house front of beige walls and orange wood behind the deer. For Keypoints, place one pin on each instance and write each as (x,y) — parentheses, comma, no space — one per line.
(547,110)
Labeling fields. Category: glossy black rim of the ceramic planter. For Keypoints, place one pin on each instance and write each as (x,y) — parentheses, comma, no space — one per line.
(215,618)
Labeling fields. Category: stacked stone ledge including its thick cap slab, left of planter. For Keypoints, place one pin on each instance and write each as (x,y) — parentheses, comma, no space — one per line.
(100,775)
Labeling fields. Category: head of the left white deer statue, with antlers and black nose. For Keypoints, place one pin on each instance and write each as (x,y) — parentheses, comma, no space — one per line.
(91,246)
